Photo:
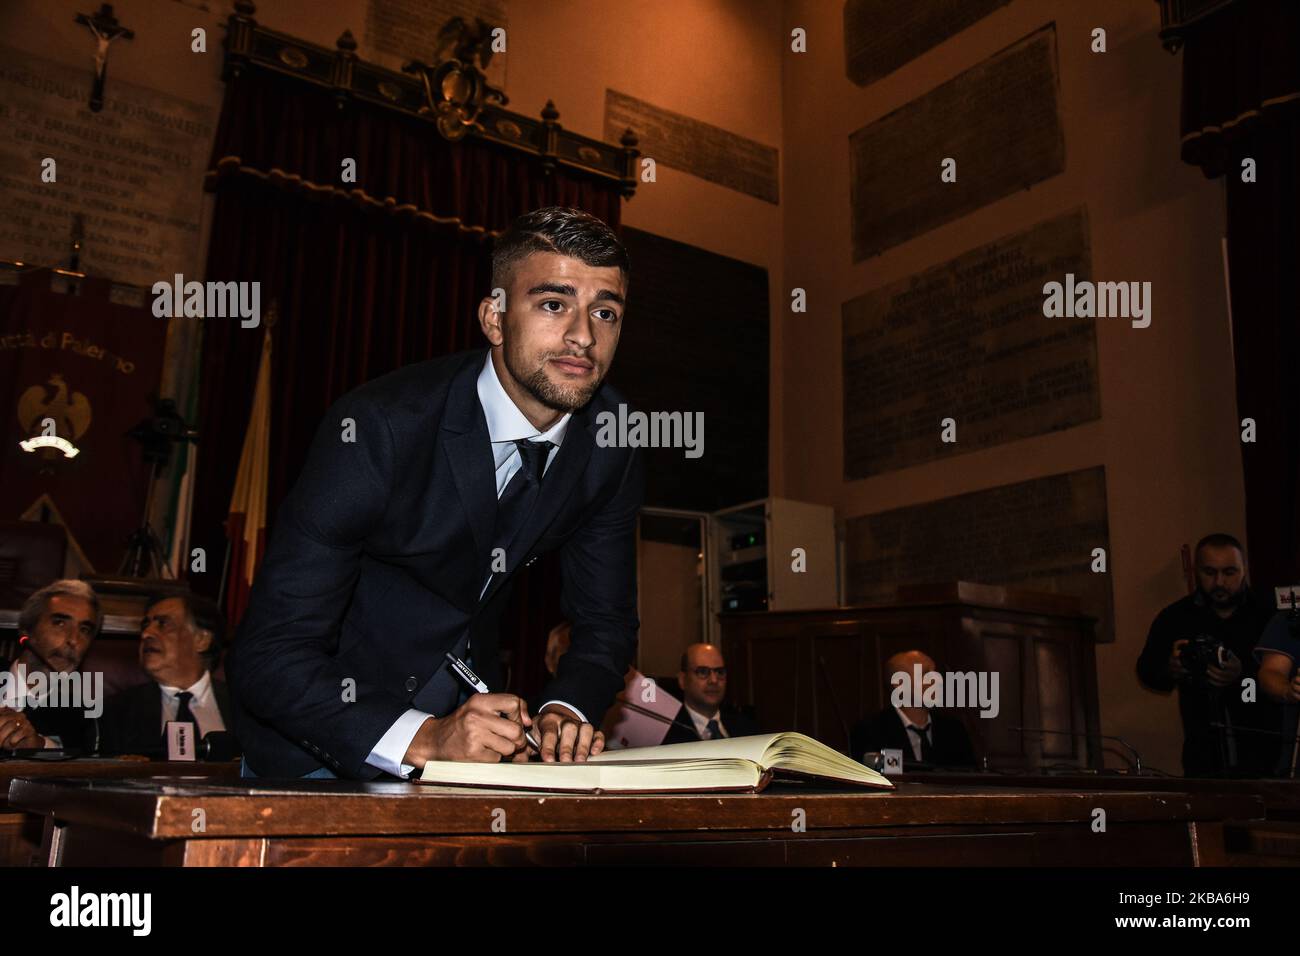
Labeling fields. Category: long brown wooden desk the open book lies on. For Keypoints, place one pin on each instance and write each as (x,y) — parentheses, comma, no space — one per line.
(332,823)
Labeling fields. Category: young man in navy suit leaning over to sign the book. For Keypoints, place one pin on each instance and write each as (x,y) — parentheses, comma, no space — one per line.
(423,495)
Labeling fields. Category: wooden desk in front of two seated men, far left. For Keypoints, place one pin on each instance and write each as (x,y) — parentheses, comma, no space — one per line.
(20,833)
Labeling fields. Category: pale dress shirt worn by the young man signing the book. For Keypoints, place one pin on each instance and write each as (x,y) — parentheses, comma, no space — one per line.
(506,425)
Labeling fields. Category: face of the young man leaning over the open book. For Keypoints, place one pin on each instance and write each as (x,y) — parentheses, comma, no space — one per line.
(560,332)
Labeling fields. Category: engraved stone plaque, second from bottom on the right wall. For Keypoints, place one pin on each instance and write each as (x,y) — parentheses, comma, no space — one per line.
(968,341)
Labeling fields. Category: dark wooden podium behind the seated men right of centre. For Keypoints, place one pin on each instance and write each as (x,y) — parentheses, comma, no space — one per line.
(820,672)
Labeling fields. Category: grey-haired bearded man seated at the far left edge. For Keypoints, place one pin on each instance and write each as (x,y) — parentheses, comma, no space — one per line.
(57,626)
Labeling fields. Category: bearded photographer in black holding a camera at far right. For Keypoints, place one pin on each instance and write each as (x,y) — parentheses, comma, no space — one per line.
(1204,646)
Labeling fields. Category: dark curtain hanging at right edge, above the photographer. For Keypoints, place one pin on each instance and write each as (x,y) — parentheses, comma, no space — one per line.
(1242,101)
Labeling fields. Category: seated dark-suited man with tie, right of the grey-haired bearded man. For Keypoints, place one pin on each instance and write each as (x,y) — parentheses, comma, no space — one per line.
(180,644)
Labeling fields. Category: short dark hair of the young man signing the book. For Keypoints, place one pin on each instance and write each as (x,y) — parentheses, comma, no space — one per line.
(557,230)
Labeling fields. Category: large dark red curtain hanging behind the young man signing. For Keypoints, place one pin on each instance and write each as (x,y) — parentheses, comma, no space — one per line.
(367,276)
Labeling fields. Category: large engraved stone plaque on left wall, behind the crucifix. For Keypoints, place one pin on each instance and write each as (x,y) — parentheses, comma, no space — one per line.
(135,172)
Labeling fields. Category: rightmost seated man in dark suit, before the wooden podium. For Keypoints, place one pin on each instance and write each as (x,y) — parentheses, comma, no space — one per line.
(925,737)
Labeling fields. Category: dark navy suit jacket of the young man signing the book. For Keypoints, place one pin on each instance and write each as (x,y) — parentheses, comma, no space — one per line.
(380,553)
